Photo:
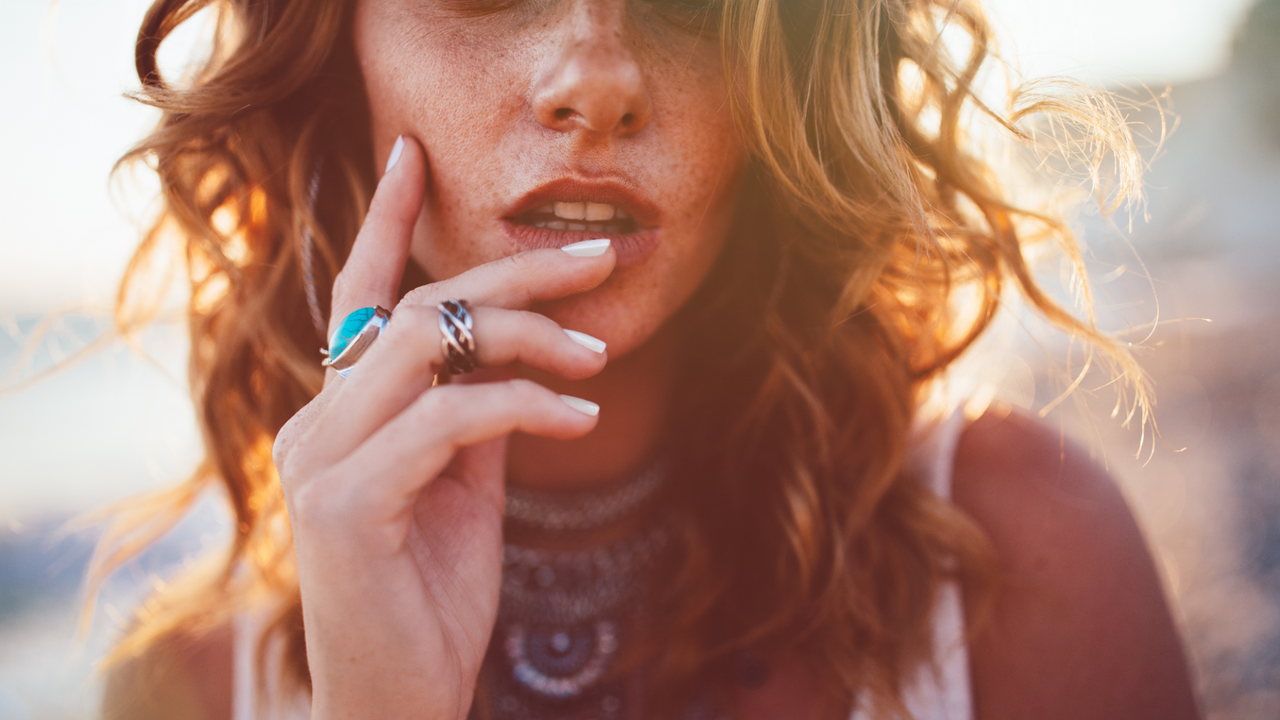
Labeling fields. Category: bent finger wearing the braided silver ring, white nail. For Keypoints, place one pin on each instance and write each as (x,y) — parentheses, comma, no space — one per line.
(404,362)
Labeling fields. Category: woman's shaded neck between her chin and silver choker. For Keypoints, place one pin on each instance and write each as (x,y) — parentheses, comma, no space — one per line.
(634,394)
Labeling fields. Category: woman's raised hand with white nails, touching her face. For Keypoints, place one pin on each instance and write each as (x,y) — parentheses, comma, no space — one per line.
(395,487)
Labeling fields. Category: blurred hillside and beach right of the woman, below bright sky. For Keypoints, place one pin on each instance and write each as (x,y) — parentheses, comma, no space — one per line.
(1209,498)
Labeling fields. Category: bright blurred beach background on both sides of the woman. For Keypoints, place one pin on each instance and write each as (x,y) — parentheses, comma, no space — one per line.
(120,421)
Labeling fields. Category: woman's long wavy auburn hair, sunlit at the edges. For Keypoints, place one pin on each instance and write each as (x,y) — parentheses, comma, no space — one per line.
(871,213)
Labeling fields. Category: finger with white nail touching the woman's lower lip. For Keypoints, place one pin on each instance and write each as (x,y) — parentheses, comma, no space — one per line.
(519,281)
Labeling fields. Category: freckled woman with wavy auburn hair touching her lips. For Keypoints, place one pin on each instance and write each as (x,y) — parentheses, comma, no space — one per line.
(702,259)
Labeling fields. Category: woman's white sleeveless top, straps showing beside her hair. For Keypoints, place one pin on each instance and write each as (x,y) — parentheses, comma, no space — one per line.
(940,691)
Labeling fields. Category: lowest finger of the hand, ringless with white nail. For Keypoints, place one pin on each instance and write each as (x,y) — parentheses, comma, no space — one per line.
(412,450)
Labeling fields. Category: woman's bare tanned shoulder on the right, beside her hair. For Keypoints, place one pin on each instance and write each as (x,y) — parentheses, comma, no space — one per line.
(1081,627)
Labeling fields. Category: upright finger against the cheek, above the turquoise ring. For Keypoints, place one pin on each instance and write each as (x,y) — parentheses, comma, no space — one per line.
(373,272)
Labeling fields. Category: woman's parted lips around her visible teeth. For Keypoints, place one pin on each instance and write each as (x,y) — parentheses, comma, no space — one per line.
(632,248)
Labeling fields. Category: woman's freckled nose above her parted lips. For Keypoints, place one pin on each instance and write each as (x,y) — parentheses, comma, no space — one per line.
(592,81)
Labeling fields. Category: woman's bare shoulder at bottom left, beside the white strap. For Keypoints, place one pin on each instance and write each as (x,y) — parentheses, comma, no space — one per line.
(176,678)
